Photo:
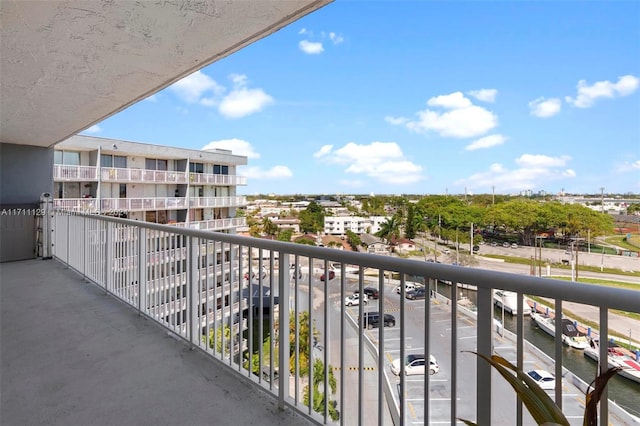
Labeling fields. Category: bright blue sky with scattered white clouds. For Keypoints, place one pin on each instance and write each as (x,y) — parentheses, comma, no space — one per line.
(419,97)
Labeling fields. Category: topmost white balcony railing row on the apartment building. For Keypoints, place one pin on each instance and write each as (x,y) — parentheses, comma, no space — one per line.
(65,173)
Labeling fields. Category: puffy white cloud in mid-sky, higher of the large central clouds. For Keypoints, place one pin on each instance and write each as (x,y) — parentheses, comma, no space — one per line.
(461,120)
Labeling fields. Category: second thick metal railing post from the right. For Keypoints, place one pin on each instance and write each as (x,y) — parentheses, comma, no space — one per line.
(283,331)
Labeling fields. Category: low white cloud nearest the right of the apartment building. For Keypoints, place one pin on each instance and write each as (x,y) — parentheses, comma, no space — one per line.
(383,161)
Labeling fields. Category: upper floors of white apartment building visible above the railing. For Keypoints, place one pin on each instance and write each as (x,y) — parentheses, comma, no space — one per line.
(167,185)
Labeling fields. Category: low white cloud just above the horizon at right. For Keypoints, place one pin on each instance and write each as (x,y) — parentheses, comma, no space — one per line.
(532,171)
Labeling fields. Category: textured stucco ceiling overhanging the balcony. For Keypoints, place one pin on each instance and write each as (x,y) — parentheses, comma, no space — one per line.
(66,65)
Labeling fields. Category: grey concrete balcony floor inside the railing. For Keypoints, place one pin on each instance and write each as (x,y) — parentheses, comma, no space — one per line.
(71,355)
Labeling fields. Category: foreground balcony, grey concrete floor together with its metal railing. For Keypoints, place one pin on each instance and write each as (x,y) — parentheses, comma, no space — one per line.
(51,317)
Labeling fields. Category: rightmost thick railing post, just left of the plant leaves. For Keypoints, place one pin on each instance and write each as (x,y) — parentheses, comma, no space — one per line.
(485,343)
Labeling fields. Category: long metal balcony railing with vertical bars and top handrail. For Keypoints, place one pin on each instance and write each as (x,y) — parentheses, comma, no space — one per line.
(122,256)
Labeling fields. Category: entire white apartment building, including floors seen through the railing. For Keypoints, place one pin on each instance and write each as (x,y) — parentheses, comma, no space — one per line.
(165,185)
